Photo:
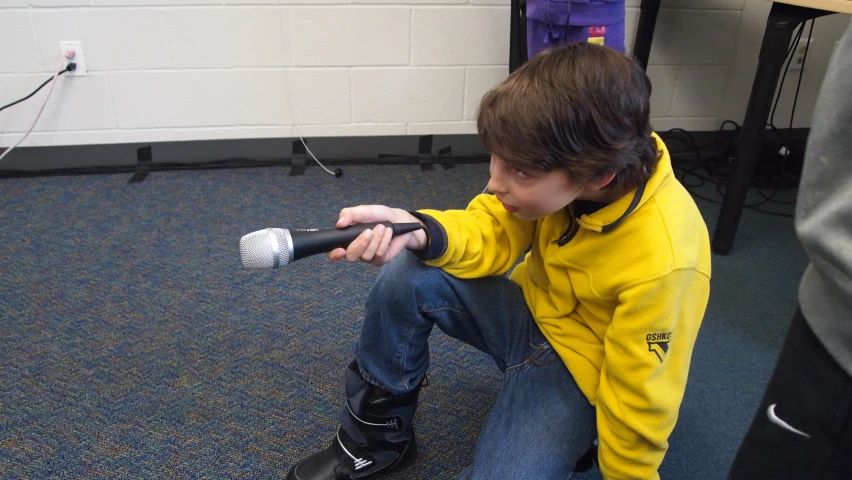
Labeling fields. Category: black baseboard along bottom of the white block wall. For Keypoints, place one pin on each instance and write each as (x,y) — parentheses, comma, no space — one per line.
(425,150)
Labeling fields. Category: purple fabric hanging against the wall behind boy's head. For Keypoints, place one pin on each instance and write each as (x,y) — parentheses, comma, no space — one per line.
(549,23)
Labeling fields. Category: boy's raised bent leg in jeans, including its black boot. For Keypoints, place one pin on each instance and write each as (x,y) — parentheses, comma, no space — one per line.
(392,357)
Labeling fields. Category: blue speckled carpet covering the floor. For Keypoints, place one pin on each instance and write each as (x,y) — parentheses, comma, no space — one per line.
(134,345)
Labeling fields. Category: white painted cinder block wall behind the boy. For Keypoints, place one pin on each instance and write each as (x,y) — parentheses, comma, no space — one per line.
(162,70)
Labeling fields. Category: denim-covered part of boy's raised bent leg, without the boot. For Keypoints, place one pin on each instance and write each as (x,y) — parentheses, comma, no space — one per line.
(409,298)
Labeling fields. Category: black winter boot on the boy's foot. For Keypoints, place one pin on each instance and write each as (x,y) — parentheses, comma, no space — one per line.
(375,436)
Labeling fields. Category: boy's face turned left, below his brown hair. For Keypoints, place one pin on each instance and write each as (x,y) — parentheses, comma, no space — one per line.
(531,195)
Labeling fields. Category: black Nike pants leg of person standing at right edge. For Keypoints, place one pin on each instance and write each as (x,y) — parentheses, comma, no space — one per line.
(803,427)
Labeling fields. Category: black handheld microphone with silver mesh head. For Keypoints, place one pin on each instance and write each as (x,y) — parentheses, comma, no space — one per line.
(275,247)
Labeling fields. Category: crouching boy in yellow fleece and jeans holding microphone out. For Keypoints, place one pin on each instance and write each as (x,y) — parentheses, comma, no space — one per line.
(594,330)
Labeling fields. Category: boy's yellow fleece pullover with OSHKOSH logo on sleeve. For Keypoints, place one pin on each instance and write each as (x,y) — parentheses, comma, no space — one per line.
(621,302)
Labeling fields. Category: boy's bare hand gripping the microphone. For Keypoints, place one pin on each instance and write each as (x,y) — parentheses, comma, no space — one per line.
(377,246)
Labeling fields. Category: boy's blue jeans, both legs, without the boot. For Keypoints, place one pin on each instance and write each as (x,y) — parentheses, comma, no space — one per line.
(541,423)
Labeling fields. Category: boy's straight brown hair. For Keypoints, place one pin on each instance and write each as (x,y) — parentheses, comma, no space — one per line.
(582,108)
